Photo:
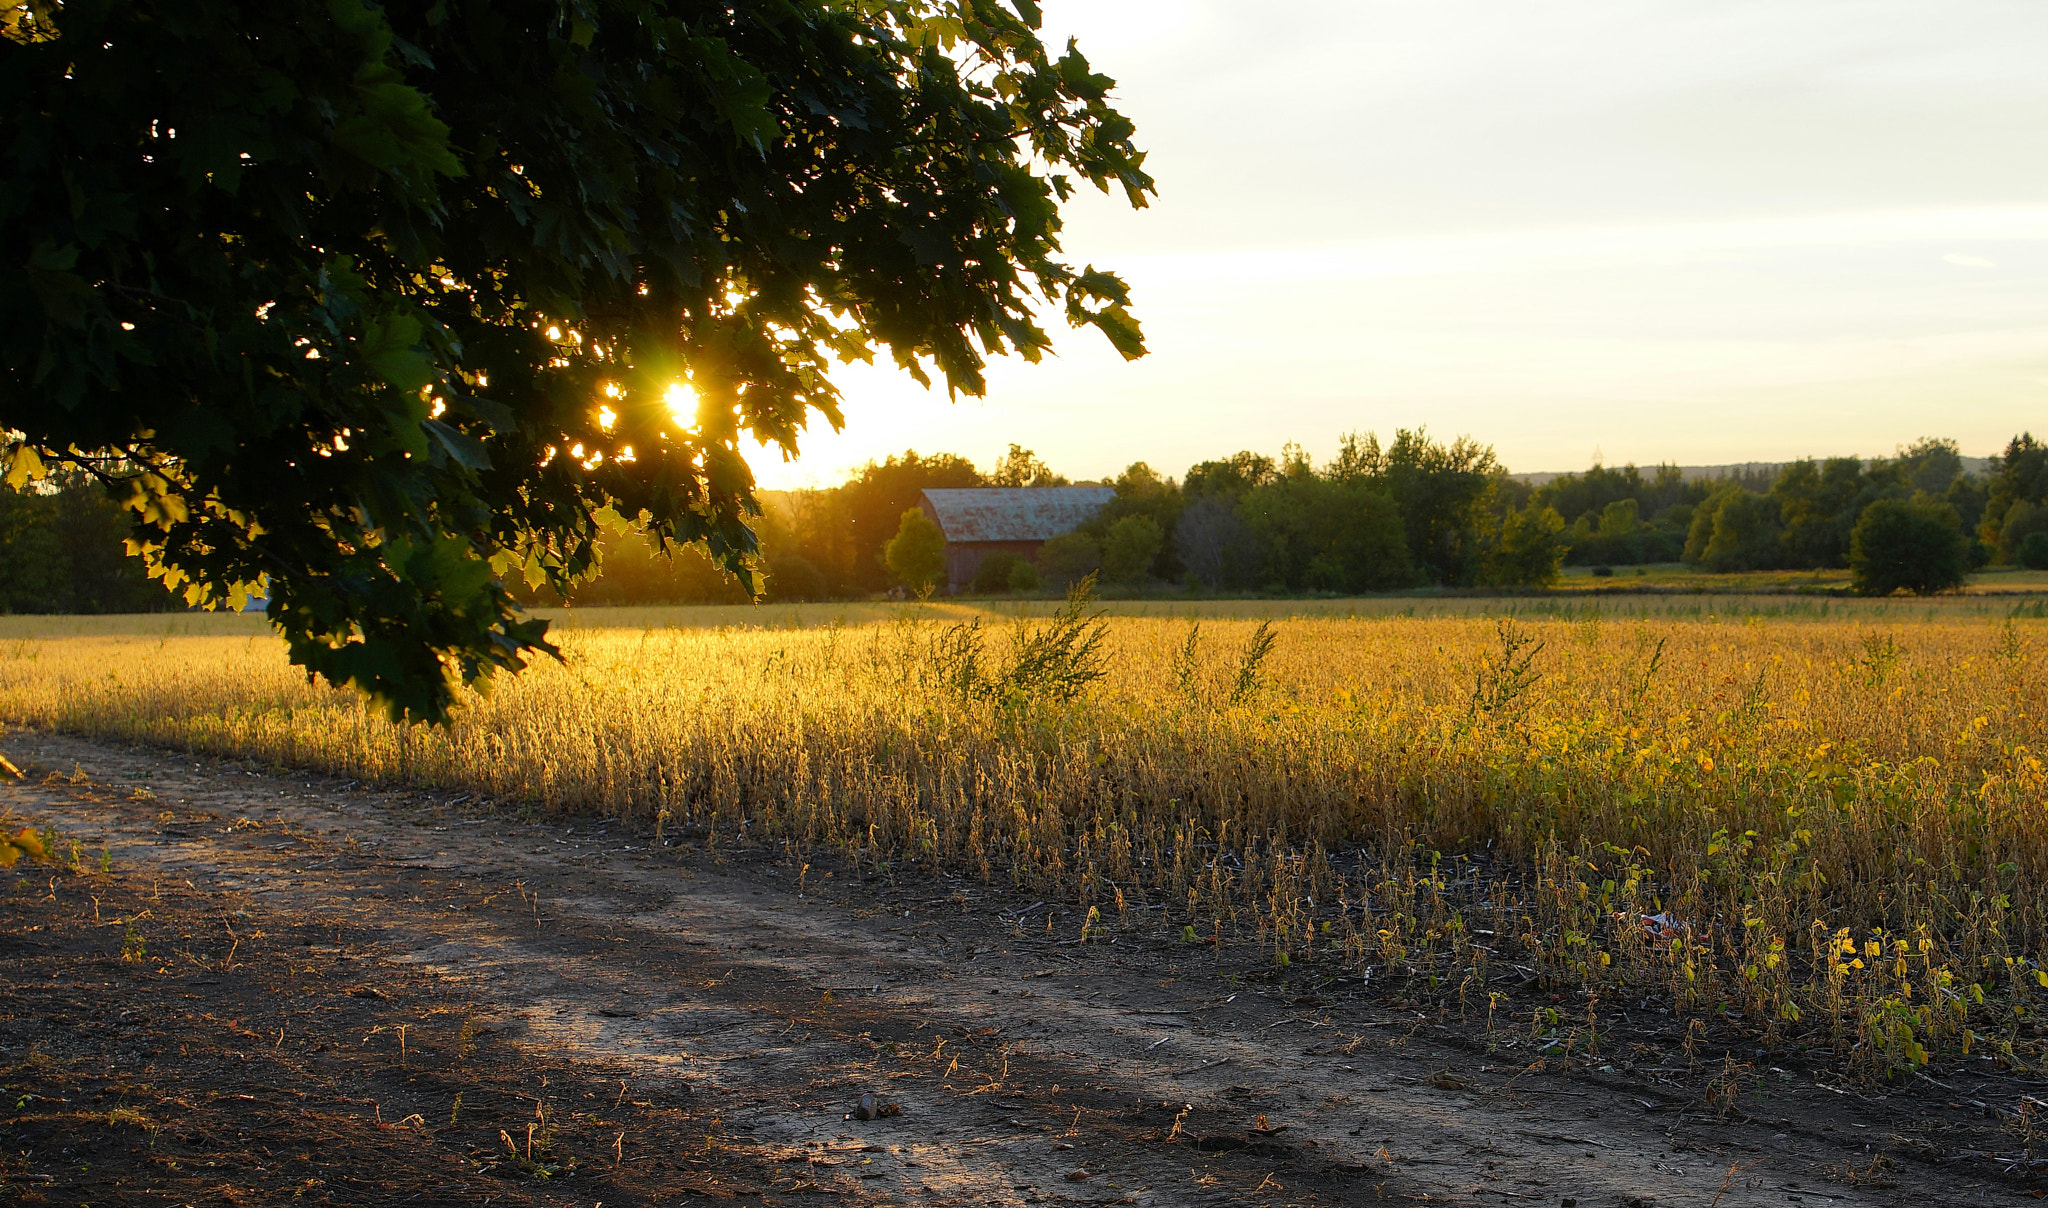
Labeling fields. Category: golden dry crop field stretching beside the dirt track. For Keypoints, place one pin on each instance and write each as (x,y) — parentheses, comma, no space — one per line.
(1816,822)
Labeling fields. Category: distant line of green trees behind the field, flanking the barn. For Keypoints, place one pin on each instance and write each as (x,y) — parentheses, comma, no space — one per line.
(1377,517)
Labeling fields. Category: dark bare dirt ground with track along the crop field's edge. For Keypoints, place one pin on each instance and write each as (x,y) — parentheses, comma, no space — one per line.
(284,988)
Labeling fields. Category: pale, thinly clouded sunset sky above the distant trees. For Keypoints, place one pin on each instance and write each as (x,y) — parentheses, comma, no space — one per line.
(1699,232)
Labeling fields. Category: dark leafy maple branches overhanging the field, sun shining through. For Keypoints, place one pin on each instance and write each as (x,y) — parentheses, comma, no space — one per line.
(370,306)
